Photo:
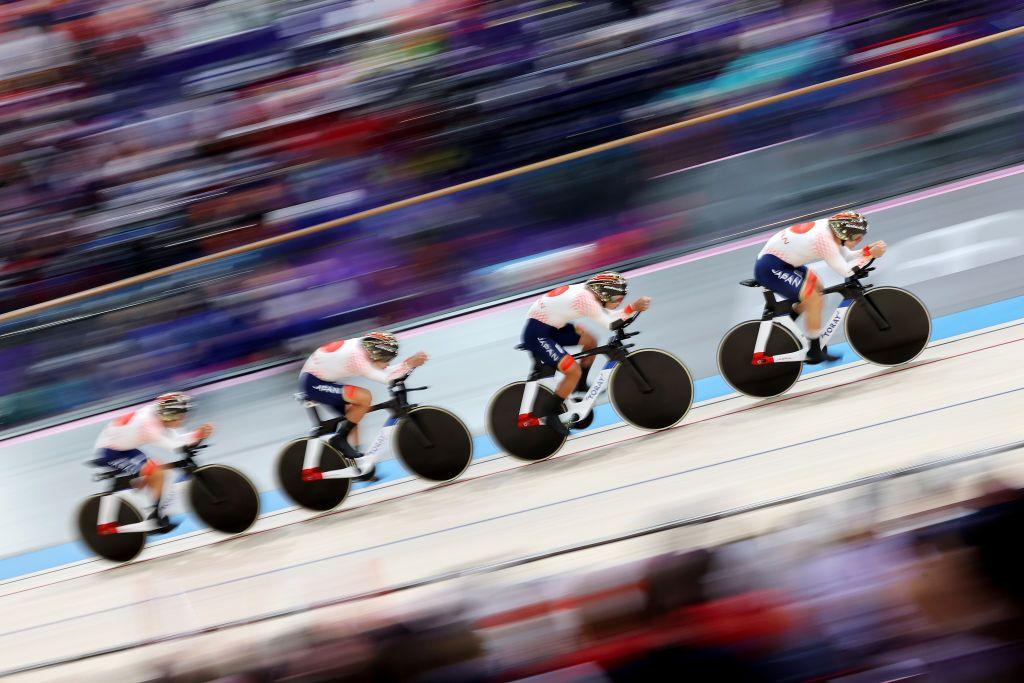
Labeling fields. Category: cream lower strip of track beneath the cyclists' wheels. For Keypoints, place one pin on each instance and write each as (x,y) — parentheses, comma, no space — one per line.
(838,425)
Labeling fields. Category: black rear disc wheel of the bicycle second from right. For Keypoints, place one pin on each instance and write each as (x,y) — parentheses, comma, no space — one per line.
(524,443)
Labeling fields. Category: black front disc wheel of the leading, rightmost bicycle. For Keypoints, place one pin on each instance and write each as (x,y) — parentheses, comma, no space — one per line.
(904,341)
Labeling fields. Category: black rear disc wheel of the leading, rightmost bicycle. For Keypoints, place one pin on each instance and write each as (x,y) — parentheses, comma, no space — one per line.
(737,353)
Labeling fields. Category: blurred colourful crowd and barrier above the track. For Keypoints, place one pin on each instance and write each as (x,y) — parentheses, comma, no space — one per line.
(139,136)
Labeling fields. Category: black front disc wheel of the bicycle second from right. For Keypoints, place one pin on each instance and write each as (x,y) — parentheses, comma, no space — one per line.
(652,390)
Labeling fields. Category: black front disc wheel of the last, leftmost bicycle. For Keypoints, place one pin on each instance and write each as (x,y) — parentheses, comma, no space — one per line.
(224,498)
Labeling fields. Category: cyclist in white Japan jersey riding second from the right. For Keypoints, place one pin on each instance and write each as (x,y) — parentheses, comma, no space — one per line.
(549,329)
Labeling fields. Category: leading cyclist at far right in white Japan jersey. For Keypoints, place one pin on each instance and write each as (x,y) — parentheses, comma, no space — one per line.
(782,266)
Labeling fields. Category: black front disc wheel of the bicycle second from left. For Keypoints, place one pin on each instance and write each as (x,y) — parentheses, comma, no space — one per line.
(434,444)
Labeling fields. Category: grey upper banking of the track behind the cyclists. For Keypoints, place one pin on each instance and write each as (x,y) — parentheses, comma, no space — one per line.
(957,246)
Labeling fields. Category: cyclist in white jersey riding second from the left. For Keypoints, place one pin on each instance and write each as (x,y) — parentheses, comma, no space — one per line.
(323,380)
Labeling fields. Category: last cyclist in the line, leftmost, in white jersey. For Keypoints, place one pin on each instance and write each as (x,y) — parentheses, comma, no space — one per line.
(119,444)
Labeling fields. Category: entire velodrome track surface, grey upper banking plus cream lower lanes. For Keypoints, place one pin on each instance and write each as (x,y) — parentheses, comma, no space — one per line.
(956,246)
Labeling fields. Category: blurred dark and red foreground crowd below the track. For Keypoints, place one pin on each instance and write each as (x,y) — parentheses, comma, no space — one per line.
(941,601)
